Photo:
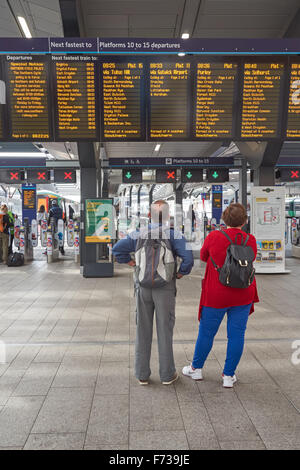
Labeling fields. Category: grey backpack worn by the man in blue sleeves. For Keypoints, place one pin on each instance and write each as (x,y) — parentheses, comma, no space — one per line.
(155,262)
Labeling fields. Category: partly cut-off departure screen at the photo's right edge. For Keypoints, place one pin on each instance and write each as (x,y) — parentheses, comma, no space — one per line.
(293,123)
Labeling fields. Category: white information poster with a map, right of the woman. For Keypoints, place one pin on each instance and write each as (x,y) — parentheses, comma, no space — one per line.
(268,227)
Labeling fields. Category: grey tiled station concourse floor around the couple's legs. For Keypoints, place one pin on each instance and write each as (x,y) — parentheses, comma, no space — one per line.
(68,383)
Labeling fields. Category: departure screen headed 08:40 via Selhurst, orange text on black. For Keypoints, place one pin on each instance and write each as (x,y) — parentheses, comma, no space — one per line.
(261,99)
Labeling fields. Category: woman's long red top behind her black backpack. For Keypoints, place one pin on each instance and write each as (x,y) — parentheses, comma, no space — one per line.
(214,294)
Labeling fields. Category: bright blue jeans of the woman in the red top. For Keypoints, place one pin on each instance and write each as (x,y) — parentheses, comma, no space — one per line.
(211,318)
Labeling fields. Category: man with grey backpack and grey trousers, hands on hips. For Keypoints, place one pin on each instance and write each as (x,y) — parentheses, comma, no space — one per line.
(155,261)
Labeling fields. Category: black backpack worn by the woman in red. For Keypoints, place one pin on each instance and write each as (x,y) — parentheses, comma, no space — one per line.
(238,270)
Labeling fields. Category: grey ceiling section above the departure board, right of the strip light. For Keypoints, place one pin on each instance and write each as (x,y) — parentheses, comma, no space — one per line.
(200,18)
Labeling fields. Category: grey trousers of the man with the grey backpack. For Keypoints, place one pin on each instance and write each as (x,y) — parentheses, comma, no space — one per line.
(162,301)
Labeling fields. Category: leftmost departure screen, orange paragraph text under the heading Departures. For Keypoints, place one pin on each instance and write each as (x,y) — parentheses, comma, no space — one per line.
(28,97)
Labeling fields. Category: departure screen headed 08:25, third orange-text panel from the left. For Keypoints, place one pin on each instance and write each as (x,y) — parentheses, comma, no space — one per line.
(122,88)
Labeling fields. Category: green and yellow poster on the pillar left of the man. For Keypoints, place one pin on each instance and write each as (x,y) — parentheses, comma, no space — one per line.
(99,221)
